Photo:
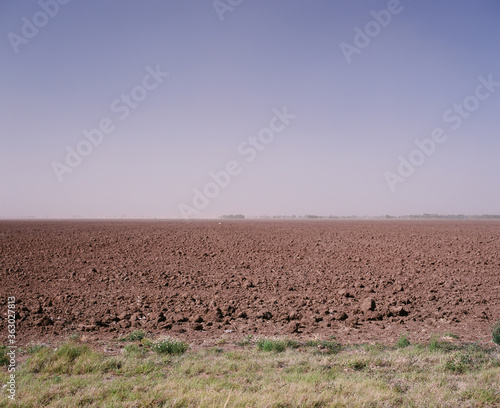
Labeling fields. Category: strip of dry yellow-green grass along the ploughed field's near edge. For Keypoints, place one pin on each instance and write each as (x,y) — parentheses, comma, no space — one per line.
(293,374)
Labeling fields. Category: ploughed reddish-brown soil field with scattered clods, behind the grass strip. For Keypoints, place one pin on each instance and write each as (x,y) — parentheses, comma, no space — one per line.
(355,280)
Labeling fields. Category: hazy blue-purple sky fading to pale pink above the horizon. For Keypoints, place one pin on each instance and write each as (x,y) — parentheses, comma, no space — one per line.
(195,109)
